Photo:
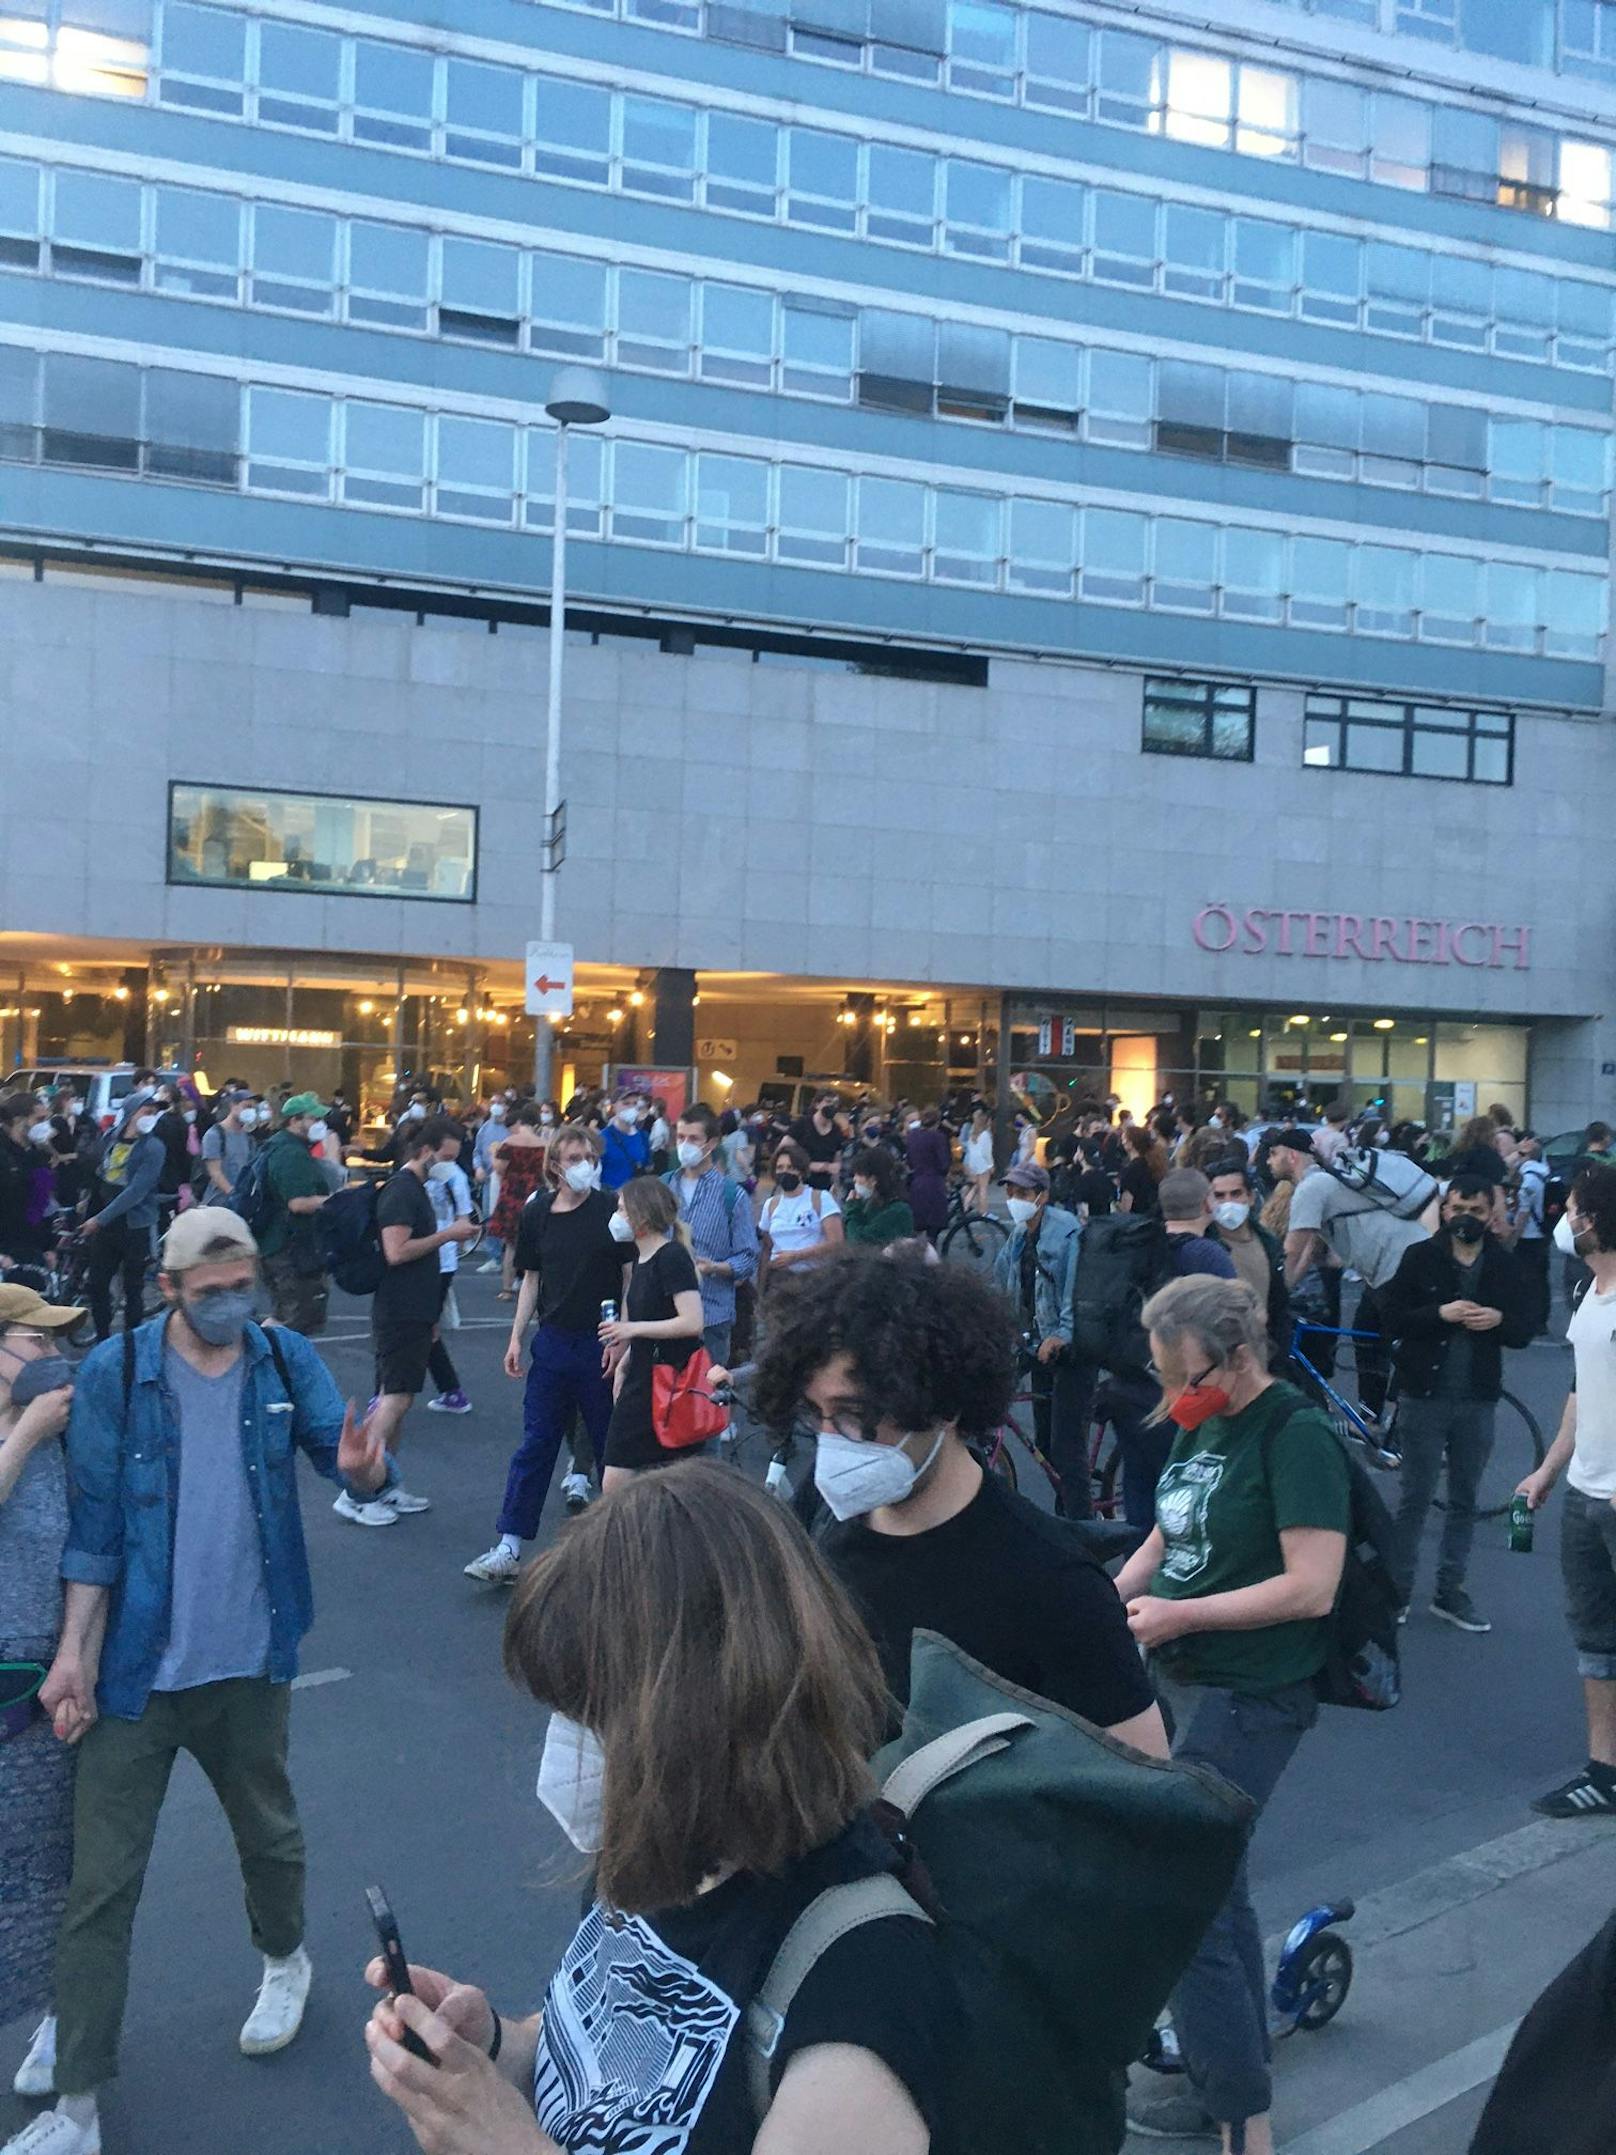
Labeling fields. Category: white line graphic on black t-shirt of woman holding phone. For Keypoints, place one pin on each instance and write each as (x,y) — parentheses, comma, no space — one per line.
(632,2042)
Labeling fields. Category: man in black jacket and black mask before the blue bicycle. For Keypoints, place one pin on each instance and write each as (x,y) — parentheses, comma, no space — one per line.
(1451,1307)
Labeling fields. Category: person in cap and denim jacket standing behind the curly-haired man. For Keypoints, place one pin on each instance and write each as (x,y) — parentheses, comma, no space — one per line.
(1035,1270)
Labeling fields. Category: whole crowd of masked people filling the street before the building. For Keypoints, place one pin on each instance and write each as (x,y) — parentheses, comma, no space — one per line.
(723,1669)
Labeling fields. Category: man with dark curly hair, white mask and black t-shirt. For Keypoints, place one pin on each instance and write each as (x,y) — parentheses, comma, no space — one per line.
(900,1365)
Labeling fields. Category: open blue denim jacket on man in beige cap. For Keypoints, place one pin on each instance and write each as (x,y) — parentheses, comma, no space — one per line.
(124,1497)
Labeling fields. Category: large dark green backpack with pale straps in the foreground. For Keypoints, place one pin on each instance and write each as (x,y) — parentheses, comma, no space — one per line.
(1076,1880)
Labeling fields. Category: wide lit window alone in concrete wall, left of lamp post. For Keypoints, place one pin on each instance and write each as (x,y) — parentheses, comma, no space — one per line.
(320,842)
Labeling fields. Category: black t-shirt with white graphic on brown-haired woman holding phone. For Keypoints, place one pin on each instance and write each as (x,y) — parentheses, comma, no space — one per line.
(643,2035)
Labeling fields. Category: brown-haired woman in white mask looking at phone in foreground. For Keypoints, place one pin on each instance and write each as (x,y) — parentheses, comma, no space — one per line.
(714,1701)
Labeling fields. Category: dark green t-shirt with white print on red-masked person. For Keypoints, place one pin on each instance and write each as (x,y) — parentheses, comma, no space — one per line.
(1225,1497)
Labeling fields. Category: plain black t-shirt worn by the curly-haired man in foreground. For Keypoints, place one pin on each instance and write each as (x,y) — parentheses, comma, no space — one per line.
(1012,1587)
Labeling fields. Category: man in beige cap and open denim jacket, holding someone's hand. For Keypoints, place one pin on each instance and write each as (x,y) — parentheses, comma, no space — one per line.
(186,1598)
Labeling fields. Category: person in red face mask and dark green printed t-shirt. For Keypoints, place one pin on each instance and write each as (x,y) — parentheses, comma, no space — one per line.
(1231,1600)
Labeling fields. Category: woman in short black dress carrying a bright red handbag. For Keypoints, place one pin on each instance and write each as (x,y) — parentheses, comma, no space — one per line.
(660,1324)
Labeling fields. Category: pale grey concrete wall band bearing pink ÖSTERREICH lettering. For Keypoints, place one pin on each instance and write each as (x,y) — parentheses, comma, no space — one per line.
(785,820)
